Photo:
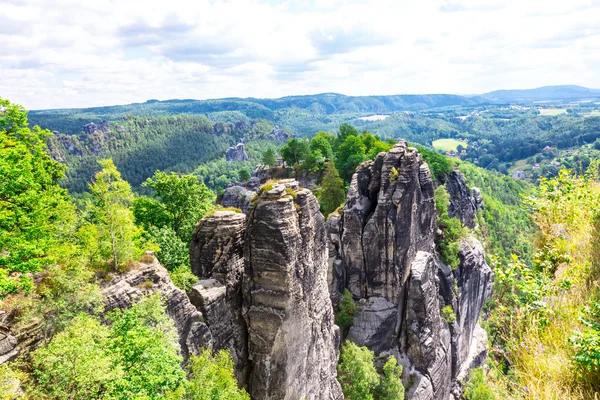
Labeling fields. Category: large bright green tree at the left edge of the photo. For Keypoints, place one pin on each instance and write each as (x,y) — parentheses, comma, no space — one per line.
(35,213)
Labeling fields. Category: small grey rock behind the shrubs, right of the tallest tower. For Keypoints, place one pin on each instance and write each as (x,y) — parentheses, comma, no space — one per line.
(463,203)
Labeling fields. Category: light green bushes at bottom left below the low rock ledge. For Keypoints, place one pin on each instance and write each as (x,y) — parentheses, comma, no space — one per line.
(136,357)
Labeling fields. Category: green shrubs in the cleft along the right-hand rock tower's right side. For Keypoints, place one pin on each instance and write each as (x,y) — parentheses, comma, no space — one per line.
(452,230)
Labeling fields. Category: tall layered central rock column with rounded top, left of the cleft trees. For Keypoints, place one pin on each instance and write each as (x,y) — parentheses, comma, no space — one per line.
(292,339)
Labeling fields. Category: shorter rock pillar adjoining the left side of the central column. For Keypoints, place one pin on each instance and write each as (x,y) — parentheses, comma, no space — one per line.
(217,257)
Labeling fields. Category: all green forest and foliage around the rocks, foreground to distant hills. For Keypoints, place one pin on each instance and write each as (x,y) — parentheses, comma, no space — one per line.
(142,185)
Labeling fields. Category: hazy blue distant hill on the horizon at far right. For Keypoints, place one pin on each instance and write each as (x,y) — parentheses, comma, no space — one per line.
(545,93)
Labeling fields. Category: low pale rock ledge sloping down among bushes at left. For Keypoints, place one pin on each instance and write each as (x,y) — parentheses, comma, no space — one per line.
(147,278)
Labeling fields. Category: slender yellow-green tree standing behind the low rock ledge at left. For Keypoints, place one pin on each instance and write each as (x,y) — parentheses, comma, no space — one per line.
(112,216)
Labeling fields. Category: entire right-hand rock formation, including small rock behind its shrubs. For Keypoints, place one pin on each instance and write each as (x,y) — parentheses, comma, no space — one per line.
(384,254)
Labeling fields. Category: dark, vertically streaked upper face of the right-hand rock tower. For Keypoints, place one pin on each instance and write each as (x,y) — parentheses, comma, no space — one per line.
(388,217)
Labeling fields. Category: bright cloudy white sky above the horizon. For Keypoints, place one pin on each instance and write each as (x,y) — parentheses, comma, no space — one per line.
(83,53)
